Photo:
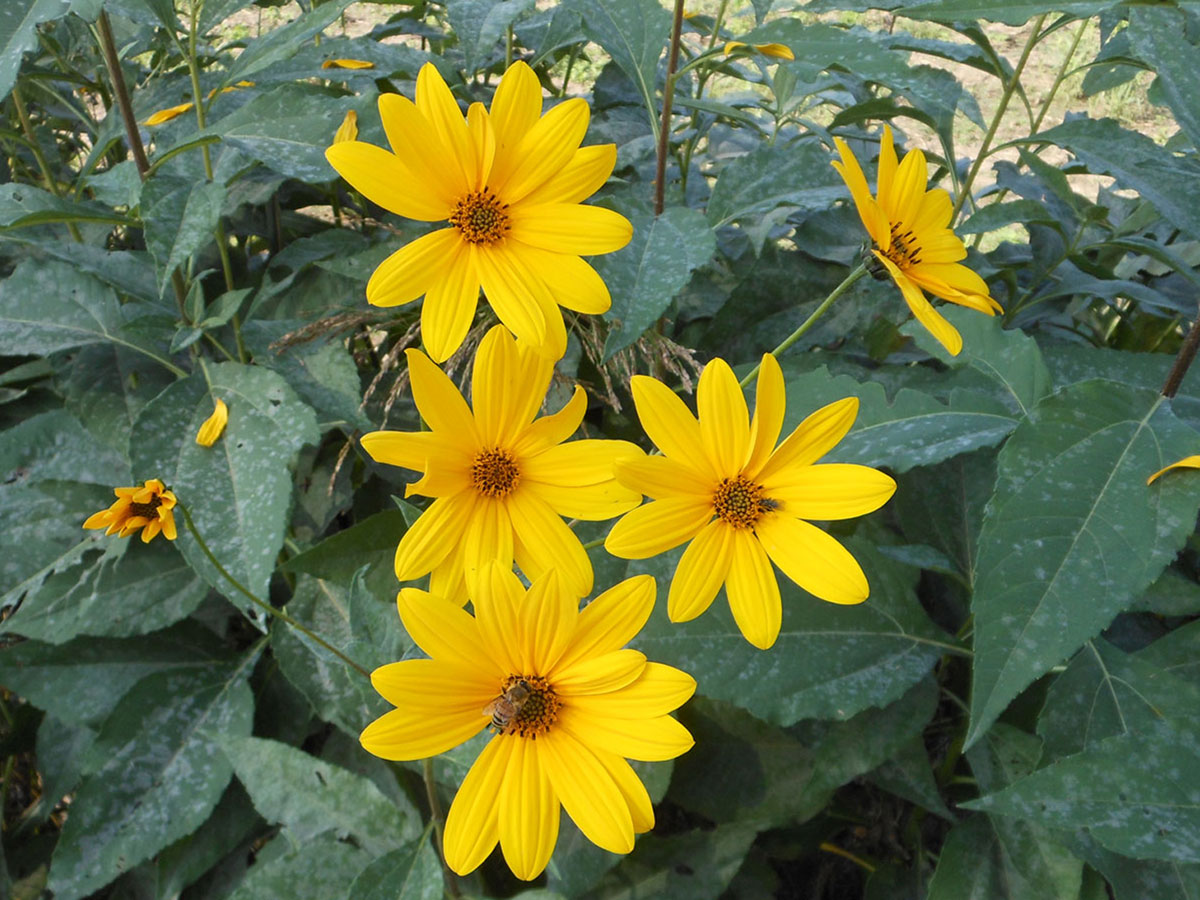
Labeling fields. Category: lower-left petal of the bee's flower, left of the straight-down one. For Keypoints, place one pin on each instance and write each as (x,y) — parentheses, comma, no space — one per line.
(472,824)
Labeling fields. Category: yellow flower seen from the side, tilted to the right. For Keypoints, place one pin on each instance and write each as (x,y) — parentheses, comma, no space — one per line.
(911,238)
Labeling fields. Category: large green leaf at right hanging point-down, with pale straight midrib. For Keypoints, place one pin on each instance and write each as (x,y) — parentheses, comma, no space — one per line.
(1075,533)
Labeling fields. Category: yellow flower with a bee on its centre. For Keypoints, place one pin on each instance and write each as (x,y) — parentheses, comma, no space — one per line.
(567,704)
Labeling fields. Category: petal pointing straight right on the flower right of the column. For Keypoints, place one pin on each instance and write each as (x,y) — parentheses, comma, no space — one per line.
(831,491)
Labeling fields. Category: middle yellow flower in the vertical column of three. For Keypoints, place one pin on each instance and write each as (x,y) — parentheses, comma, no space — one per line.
(501,481)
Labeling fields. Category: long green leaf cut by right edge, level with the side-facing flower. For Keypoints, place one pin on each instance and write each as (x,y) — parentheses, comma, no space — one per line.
(1136,163)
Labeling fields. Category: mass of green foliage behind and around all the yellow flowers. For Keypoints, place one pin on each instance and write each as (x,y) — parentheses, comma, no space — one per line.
(1013,713)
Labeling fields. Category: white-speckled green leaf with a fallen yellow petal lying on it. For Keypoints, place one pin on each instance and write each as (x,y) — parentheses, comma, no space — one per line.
(239,490)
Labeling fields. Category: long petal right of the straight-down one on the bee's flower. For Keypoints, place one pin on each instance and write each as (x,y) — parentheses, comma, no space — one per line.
(587,791)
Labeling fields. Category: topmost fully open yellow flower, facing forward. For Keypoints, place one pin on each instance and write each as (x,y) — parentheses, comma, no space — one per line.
(509,182)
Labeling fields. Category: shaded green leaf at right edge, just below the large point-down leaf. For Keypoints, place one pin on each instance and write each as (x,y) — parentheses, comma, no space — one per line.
(1105,693)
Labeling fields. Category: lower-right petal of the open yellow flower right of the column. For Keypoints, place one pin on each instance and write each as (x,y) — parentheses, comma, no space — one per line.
(813,560)
